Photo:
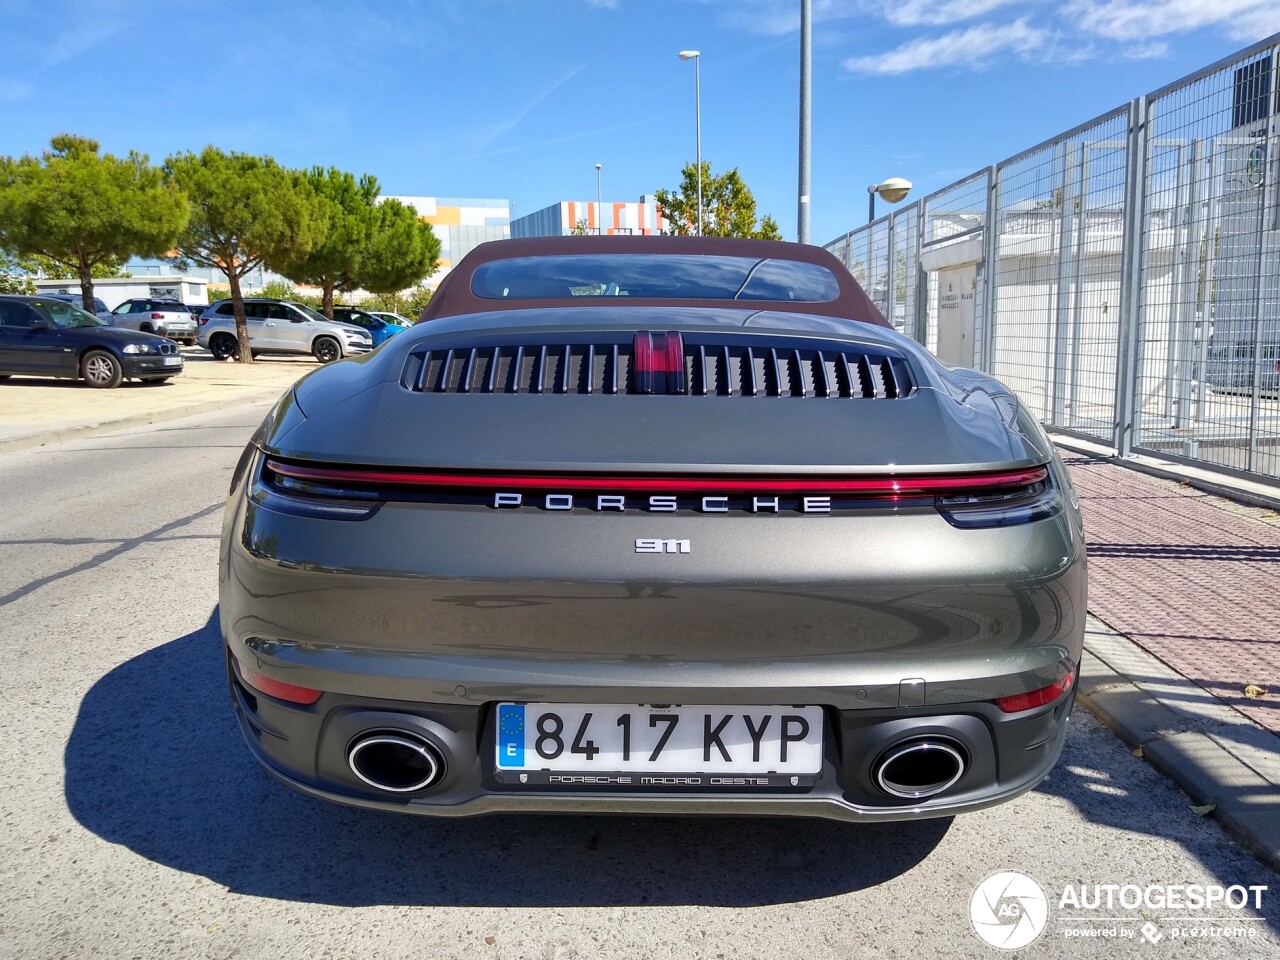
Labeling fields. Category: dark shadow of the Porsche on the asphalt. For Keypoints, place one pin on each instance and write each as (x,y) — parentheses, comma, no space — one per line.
(157,765)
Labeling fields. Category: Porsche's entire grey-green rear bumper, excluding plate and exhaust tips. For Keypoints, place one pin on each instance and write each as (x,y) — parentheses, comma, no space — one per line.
(419,619)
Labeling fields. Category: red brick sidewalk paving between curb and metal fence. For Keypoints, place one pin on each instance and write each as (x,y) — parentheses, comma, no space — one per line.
(1191,578)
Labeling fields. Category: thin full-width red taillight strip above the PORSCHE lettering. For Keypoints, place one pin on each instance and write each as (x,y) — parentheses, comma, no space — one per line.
(866,486)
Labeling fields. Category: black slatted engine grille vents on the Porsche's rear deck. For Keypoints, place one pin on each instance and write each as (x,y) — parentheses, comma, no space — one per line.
(761,368)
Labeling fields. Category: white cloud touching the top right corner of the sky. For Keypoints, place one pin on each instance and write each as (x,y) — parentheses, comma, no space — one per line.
(1142,20)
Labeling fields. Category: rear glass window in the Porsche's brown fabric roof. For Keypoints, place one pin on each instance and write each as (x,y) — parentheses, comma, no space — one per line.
(651,277)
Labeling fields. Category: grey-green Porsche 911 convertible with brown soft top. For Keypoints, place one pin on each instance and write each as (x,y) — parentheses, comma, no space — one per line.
(653,525)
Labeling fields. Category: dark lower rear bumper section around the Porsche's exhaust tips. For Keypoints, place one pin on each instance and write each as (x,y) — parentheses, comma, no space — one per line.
(308,747)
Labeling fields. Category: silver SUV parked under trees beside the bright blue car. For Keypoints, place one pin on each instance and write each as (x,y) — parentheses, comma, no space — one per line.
(281,327)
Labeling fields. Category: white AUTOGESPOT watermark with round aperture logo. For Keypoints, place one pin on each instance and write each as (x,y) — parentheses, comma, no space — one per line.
(1011,911)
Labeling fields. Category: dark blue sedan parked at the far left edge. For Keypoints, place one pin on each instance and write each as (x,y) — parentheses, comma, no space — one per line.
(47,337)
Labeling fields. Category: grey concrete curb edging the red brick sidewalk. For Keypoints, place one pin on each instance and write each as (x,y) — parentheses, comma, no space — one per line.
(1215,755)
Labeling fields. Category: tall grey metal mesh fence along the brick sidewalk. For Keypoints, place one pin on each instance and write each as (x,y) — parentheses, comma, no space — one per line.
(1123,277)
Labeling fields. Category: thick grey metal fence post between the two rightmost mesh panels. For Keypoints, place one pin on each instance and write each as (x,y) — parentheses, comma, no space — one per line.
(1131,278)
